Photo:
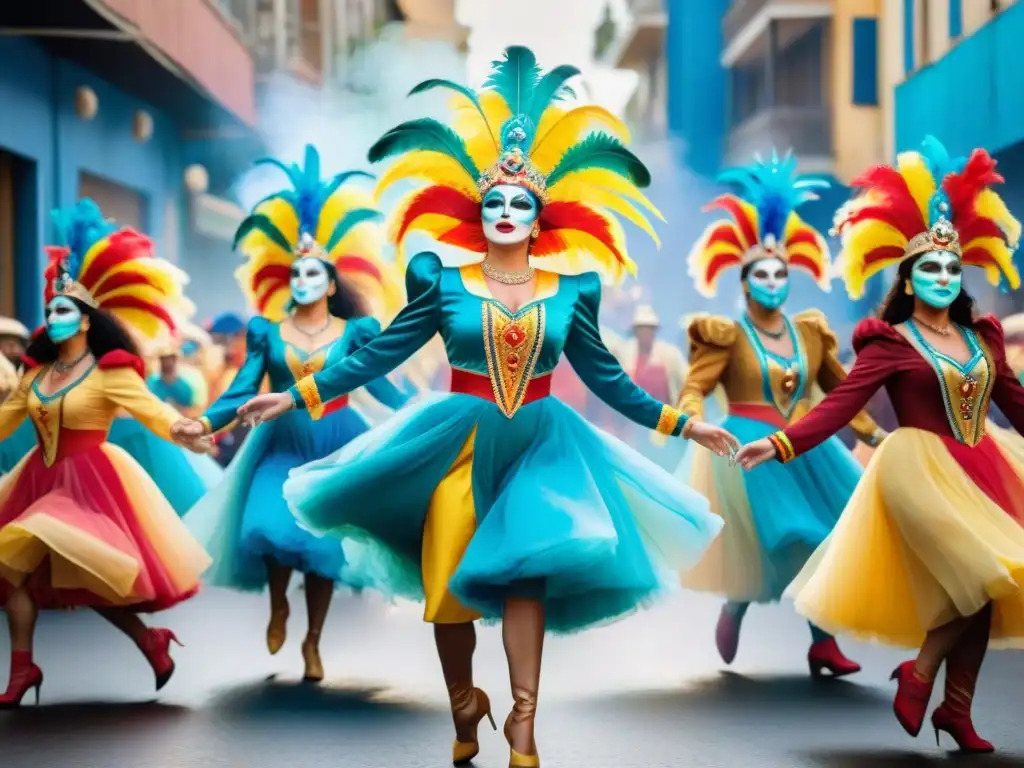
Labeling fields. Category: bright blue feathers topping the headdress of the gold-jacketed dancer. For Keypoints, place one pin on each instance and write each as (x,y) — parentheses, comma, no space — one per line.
(775,189)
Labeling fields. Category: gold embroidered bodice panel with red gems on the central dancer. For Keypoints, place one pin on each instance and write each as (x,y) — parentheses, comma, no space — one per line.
(513,347)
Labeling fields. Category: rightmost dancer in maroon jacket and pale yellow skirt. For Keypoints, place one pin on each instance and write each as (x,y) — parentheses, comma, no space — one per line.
(929,552)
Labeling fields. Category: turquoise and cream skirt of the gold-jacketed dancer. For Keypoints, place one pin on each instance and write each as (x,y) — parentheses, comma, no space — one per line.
(776,516)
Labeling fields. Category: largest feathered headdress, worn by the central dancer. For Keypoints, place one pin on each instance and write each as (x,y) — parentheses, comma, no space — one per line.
(519,131)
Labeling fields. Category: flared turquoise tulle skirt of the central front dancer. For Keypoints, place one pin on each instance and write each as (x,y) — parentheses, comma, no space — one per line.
(557,509)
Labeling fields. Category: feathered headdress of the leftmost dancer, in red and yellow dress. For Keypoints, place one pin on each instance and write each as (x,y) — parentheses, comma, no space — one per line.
(114,270)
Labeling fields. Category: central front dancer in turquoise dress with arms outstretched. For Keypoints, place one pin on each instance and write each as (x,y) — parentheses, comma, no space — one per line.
(497,501)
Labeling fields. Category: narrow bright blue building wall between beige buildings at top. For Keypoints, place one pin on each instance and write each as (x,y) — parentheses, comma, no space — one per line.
(697,81)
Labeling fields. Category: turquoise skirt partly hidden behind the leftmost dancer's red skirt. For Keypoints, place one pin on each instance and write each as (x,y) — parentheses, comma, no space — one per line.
(184,478)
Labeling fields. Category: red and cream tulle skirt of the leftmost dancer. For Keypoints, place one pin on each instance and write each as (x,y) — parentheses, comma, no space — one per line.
(94,531)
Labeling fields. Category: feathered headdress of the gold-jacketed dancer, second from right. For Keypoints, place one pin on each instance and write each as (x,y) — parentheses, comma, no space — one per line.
(764,224)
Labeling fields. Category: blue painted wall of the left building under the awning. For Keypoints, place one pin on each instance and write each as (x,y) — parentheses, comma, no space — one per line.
(41,129)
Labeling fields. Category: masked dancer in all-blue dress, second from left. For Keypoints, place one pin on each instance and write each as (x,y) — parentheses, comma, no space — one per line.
(313,271)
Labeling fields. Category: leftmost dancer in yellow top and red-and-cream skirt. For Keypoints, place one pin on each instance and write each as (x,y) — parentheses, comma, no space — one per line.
(81,525)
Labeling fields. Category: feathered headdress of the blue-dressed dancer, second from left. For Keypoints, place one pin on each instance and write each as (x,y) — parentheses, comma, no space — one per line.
(328,220)
